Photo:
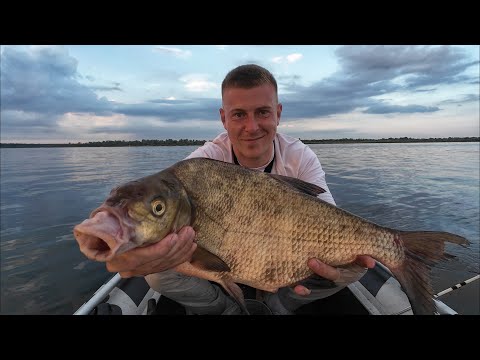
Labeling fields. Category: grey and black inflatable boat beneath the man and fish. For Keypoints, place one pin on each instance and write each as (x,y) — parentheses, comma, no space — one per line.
(376,293)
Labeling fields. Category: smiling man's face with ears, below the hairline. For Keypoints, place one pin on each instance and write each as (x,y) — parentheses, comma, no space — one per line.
(250,117)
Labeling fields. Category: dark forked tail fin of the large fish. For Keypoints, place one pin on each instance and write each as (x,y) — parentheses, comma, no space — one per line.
(423,249)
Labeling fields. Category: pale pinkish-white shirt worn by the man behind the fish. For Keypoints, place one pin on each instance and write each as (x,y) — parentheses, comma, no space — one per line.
(292,158)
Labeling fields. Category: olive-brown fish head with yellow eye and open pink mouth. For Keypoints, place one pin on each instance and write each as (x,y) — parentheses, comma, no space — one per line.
(135,214)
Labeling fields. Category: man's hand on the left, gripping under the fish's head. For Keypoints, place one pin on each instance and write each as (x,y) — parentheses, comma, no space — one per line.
(171,251)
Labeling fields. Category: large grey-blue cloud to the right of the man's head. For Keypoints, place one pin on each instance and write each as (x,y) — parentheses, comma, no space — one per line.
(368,72)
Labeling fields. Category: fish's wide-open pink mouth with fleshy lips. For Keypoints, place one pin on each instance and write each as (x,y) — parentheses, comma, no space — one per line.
(105,234)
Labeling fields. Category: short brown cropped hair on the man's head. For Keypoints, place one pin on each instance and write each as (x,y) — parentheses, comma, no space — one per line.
(248,76)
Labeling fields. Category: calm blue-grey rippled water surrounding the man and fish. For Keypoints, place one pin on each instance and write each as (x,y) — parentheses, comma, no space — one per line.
(46,192)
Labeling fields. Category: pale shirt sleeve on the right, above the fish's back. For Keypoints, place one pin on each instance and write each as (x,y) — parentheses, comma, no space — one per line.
(312,172)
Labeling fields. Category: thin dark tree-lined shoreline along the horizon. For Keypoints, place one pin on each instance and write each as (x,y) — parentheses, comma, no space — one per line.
(186,142)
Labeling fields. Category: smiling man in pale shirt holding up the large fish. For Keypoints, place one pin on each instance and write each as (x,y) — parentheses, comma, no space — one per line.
(250,114)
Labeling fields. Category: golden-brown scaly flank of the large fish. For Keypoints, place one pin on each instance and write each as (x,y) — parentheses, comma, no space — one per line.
(295,231)
